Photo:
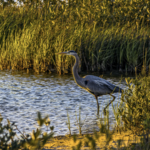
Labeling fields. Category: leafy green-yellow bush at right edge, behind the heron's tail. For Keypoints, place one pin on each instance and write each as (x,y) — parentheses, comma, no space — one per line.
(136,109)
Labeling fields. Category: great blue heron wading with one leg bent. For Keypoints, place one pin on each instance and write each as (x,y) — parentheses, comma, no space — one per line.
(93,84)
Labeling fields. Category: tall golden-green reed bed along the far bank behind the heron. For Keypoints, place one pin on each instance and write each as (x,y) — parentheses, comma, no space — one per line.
(107,35)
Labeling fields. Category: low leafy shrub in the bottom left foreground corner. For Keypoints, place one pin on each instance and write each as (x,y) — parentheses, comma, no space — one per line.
(36,140)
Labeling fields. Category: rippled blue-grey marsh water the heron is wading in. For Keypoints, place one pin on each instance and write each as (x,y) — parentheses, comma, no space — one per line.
(22,95)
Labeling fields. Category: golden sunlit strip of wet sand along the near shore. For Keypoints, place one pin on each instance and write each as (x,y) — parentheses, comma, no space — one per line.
(67,142)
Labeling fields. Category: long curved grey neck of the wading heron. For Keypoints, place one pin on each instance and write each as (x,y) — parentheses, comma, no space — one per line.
(76,76)
